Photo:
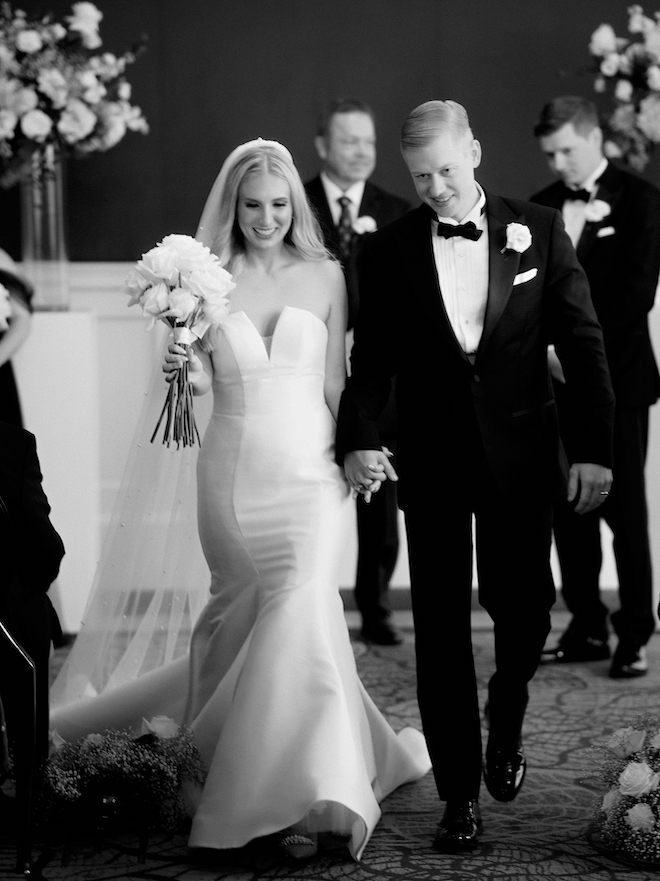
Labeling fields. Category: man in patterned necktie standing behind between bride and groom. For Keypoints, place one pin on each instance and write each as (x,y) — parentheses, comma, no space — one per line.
(349,207)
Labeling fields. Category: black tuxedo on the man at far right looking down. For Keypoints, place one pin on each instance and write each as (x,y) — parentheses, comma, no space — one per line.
(621,256)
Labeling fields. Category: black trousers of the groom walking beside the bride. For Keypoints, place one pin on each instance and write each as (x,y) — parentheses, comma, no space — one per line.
(515,588)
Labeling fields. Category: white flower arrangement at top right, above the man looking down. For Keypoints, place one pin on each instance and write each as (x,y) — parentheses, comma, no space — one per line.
(631,69)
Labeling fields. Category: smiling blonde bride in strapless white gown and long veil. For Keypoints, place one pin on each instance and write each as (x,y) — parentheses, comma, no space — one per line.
(291,740)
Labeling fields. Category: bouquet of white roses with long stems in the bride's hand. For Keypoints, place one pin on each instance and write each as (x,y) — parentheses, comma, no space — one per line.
(183,284)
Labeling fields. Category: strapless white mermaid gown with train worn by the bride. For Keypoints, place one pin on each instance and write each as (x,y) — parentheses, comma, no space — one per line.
(270,687)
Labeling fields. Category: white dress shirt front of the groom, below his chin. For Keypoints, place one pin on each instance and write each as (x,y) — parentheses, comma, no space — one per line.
(462,267)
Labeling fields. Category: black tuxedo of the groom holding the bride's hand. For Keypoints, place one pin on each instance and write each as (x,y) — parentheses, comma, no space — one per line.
(476,438)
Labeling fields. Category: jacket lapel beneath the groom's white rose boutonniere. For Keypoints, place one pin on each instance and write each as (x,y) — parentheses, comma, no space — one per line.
(502,264)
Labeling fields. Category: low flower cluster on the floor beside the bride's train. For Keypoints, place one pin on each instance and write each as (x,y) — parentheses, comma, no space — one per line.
(143,774)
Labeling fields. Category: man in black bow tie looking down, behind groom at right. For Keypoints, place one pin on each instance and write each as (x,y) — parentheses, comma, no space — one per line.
(613,219)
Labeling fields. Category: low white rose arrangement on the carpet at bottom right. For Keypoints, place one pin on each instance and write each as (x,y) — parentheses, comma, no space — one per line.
(628,816)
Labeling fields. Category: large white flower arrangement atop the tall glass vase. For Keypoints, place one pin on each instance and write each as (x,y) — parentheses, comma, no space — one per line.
(57,89)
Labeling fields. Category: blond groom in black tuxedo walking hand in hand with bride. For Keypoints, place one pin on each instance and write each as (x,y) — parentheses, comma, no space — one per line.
(458,300)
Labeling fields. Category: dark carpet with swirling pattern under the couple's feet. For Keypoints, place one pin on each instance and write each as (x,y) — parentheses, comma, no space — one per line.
(541,835)
